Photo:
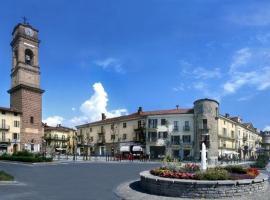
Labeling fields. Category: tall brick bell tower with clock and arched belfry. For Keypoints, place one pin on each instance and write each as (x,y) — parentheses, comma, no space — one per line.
(25,92)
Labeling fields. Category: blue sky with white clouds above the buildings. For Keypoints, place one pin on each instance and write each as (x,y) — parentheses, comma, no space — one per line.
(113,56)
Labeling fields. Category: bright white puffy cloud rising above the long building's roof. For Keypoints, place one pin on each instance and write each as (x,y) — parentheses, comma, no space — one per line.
(93,107)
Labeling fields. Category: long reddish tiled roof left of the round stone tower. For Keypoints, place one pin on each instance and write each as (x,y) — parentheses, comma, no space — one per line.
(139,115)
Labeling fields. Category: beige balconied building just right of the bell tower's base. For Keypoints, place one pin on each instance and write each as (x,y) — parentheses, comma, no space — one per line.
(59,139)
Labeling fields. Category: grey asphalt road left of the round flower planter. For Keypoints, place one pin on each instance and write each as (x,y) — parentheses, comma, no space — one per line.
(72,181)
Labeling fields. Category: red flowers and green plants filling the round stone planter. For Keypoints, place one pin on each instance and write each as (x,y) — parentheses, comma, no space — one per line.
(192,171)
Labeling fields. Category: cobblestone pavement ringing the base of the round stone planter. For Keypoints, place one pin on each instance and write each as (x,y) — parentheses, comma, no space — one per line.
(131,191)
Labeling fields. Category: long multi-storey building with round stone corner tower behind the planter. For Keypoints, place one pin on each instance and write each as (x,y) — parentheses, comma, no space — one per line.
(178,133)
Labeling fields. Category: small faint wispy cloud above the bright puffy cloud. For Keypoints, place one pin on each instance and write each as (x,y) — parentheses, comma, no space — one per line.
(111,64)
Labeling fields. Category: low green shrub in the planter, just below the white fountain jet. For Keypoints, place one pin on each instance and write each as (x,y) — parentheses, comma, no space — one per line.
(213,174)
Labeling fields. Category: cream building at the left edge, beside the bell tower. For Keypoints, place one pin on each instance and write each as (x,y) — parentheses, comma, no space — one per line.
(10,122)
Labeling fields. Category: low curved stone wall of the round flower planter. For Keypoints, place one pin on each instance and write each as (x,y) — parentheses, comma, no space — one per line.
(201,189)
